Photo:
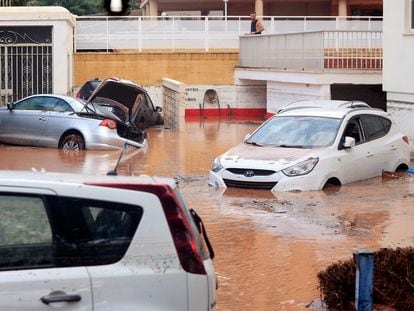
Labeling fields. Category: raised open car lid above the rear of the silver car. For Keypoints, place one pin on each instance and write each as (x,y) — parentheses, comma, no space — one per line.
(119,92)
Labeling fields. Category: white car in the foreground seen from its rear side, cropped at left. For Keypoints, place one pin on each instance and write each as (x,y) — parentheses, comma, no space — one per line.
(101,243)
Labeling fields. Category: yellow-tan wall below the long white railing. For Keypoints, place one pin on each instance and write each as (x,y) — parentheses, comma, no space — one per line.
(149,68)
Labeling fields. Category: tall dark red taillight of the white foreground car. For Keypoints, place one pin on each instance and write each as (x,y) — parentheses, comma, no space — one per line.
(184,239)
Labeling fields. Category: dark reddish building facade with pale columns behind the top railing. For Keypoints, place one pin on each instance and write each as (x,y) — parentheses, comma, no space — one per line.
(263,7)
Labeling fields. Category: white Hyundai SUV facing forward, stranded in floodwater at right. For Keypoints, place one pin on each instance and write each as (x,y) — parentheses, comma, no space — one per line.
(311,144)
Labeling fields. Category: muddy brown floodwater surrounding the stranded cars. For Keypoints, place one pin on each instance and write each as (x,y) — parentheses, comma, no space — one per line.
(269,247)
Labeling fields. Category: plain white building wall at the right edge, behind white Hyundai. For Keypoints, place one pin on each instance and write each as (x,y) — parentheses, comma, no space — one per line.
(398,41)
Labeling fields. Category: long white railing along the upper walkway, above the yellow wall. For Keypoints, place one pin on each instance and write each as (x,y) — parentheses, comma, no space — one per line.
(141,33)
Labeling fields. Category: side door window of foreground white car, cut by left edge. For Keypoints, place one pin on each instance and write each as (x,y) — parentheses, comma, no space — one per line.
(25,233)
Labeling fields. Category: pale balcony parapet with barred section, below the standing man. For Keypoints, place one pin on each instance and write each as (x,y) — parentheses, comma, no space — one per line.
(318,50)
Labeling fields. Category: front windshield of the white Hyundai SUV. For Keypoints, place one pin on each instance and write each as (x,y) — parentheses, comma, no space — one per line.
(296,132)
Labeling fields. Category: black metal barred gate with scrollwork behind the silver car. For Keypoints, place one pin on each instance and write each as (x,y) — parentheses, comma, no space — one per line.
(25,62)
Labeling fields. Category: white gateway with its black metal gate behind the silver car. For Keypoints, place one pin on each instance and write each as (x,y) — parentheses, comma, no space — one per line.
(36,51)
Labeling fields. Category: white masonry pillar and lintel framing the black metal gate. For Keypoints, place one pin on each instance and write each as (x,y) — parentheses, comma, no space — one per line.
(63,23)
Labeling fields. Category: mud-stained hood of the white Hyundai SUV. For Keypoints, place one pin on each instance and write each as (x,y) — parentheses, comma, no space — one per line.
(246,155)
